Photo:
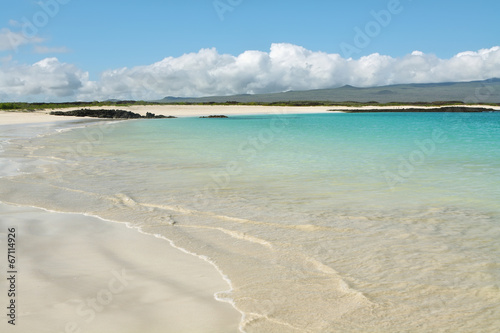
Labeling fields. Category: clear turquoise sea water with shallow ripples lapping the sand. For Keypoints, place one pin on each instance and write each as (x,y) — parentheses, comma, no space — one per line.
(371,222)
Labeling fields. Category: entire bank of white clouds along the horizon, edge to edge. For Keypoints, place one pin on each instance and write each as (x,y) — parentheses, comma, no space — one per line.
(207,72)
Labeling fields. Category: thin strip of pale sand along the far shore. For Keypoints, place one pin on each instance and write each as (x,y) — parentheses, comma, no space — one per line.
(42,116)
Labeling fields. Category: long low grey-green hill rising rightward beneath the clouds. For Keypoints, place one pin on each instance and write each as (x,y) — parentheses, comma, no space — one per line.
(487,91)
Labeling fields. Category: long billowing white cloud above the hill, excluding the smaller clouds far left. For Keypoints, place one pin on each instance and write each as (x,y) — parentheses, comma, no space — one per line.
(290,67)
